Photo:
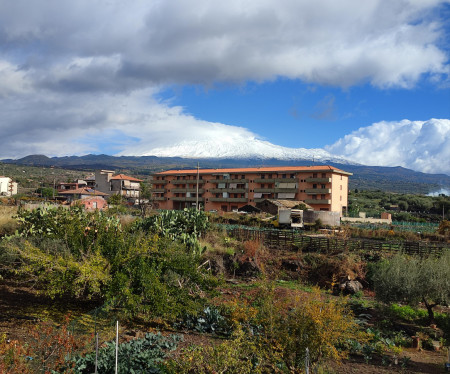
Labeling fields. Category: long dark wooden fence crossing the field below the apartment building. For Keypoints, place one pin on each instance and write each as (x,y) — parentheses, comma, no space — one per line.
(294,240)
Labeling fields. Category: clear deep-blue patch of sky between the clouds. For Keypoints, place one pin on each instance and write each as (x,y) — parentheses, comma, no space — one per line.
(296,114)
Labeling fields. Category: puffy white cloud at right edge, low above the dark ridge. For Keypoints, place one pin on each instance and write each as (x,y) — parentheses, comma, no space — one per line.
(418,145)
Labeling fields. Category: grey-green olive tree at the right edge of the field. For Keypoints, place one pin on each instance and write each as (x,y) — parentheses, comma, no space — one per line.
(414,280)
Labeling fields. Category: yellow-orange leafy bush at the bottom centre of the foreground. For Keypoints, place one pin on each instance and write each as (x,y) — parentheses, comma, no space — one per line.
(272,335)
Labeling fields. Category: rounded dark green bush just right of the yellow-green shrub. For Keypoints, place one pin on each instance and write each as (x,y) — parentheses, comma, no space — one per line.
(157,277)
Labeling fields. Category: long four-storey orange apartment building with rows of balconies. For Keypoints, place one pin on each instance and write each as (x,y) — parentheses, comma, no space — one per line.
(321,187)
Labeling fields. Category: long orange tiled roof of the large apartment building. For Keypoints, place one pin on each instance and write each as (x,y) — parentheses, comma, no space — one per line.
(318,168)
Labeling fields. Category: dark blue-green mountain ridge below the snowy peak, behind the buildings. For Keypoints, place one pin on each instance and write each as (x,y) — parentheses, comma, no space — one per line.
(394,179)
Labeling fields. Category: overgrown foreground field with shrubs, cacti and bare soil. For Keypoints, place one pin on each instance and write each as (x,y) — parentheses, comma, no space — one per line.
(191,299)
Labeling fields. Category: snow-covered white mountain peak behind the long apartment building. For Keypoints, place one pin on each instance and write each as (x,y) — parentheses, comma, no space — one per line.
(240,148)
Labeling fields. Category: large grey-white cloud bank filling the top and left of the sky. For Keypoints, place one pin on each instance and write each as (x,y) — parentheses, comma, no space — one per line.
(79,76)
